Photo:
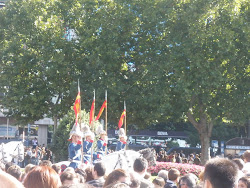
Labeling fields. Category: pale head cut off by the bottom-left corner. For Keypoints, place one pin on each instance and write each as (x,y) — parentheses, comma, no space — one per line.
(6,180)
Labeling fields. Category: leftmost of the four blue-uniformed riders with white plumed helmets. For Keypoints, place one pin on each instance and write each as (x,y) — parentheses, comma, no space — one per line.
(74,149)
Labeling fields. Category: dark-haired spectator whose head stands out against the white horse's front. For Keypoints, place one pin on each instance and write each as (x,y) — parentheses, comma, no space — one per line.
(140,166)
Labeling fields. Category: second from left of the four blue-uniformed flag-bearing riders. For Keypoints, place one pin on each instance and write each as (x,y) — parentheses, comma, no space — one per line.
(87,144)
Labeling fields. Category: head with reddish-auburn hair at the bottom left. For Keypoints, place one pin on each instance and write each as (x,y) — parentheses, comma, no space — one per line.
(42,176)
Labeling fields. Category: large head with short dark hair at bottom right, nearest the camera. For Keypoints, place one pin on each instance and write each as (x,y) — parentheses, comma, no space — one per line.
(220,173)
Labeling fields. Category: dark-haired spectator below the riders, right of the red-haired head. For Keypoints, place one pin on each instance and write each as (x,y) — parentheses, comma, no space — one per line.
(98,173)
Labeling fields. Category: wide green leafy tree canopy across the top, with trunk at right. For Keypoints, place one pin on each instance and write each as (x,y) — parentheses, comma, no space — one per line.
(167,59)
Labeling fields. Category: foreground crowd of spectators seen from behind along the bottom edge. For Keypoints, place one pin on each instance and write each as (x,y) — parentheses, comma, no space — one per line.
(218,173)
